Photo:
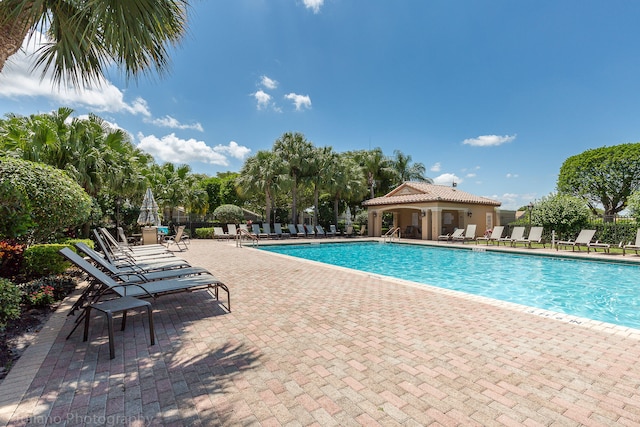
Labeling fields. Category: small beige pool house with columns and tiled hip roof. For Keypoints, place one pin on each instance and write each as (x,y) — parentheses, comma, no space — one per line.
(427,211)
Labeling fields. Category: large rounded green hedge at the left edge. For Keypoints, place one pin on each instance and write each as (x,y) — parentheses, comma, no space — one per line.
(55,201)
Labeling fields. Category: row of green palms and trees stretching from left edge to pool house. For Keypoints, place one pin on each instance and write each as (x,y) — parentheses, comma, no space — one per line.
(294,175)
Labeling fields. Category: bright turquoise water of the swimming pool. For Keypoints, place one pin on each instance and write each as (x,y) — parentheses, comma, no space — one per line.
(604,291)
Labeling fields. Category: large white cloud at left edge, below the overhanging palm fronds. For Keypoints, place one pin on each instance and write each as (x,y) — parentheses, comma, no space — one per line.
(18,79)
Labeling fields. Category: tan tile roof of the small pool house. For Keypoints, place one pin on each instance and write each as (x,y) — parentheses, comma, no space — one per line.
(417,192)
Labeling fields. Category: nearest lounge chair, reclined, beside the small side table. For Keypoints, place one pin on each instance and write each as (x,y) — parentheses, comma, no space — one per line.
(154,288)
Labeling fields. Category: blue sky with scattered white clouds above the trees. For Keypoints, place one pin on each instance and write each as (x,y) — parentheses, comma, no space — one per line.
(493,95)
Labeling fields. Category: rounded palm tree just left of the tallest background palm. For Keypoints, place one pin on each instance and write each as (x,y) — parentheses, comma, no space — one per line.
(261,174)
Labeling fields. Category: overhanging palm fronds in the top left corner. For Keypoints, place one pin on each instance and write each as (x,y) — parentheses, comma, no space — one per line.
(85,37)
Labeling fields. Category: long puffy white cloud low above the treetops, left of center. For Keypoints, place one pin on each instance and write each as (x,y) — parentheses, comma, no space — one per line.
(172,149)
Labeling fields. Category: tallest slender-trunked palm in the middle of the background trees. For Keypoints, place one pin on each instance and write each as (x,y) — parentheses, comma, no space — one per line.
(294,150)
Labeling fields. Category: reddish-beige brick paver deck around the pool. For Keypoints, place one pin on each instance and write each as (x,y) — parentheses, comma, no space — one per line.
(313,345)
